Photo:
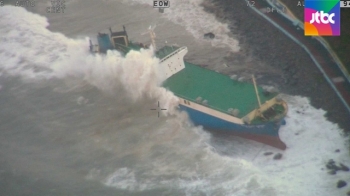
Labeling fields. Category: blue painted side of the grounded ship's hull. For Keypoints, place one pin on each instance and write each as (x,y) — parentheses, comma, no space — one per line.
(265,133)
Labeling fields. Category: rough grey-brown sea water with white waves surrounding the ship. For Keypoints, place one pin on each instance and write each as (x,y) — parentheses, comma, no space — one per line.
(73,123)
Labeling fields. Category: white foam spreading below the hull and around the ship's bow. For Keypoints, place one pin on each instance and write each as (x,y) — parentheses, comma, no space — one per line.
(311,141)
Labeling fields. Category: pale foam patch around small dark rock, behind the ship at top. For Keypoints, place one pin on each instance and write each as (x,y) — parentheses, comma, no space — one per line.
(191,15)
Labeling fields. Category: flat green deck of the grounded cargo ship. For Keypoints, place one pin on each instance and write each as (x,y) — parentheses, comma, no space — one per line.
(219,90)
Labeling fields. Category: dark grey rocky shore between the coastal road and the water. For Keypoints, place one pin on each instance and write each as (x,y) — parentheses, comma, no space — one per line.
(289,65)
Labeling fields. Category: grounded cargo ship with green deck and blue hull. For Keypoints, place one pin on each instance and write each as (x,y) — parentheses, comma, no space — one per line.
(212,100)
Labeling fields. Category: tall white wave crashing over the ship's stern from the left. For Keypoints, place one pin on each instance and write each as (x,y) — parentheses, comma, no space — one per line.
(28,49)
